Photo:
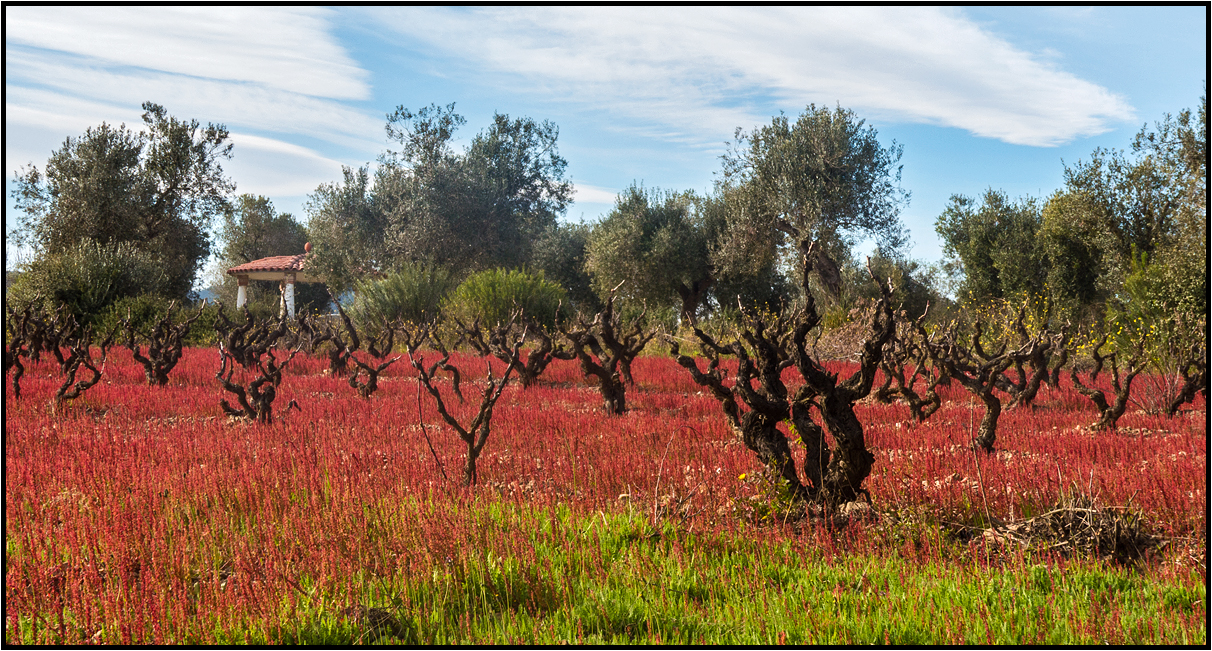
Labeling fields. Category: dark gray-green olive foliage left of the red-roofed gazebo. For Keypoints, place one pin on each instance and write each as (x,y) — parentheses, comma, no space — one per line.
(161,189)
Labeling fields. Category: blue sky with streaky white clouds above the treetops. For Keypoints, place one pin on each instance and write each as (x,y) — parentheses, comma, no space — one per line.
(979,98)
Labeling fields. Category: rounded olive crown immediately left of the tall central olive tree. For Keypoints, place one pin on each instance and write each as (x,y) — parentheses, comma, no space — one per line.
(656,245)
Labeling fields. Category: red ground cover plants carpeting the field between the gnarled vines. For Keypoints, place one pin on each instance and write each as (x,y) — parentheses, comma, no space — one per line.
(145,513)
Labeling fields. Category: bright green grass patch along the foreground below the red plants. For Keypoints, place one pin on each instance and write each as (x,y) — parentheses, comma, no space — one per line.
(552,576)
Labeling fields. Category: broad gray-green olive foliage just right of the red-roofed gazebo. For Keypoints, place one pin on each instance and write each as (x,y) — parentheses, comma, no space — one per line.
(470,210)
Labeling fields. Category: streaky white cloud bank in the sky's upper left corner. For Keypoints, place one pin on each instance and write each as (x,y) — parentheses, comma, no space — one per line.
(270,75)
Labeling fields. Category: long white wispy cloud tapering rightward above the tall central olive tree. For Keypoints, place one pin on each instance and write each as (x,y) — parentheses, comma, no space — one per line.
(700,72)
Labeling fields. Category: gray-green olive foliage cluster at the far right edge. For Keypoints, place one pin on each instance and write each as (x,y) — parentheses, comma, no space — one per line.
(1089,239)
